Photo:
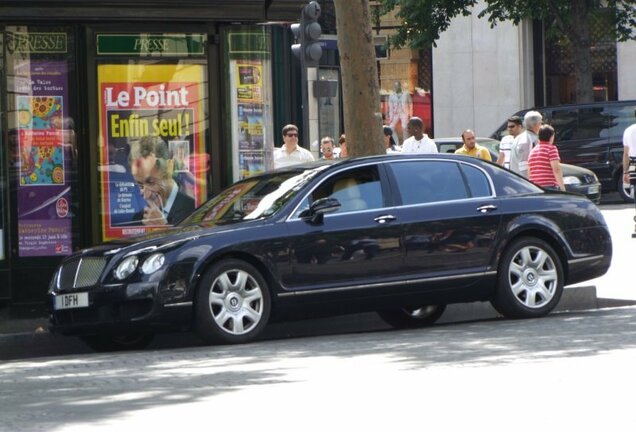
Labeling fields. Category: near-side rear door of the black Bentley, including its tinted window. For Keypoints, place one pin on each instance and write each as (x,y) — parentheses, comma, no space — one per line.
(450,220)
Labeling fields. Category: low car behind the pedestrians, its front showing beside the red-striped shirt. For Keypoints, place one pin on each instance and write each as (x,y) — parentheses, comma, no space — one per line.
(577,180)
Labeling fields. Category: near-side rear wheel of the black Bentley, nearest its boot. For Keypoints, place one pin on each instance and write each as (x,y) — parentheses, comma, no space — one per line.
(530,279)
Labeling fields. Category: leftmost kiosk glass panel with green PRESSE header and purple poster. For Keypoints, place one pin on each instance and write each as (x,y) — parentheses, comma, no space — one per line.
(42,150)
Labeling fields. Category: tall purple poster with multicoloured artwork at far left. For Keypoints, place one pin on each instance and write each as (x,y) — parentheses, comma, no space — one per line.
(44,160)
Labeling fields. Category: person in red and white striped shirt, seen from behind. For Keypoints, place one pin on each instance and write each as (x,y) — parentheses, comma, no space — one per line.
(544,163)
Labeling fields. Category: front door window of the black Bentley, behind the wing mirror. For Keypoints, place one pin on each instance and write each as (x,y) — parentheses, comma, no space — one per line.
(356,189)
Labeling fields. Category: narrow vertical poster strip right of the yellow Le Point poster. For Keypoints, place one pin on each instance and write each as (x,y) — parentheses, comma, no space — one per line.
(250,108)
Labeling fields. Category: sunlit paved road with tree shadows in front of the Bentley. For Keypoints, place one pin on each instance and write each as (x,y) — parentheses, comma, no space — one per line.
(568,371)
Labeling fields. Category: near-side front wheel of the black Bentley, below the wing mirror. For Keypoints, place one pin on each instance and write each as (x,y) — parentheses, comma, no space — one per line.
(233,303)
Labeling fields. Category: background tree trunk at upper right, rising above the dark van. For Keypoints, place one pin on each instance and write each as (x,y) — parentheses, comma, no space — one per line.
(579,35)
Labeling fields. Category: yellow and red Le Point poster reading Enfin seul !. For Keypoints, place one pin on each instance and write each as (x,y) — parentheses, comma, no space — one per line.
(153,163)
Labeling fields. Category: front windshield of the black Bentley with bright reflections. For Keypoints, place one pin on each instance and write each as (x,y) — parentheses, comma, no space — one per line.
(253,198)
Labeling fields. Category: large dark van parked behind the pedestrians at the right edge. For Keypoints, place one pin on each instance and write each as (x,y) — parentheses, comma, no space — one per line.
(591,136)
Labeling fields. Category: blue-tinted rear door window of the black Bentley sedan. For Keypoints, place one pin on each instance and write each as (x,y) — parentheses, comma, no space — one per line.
(423,182)
